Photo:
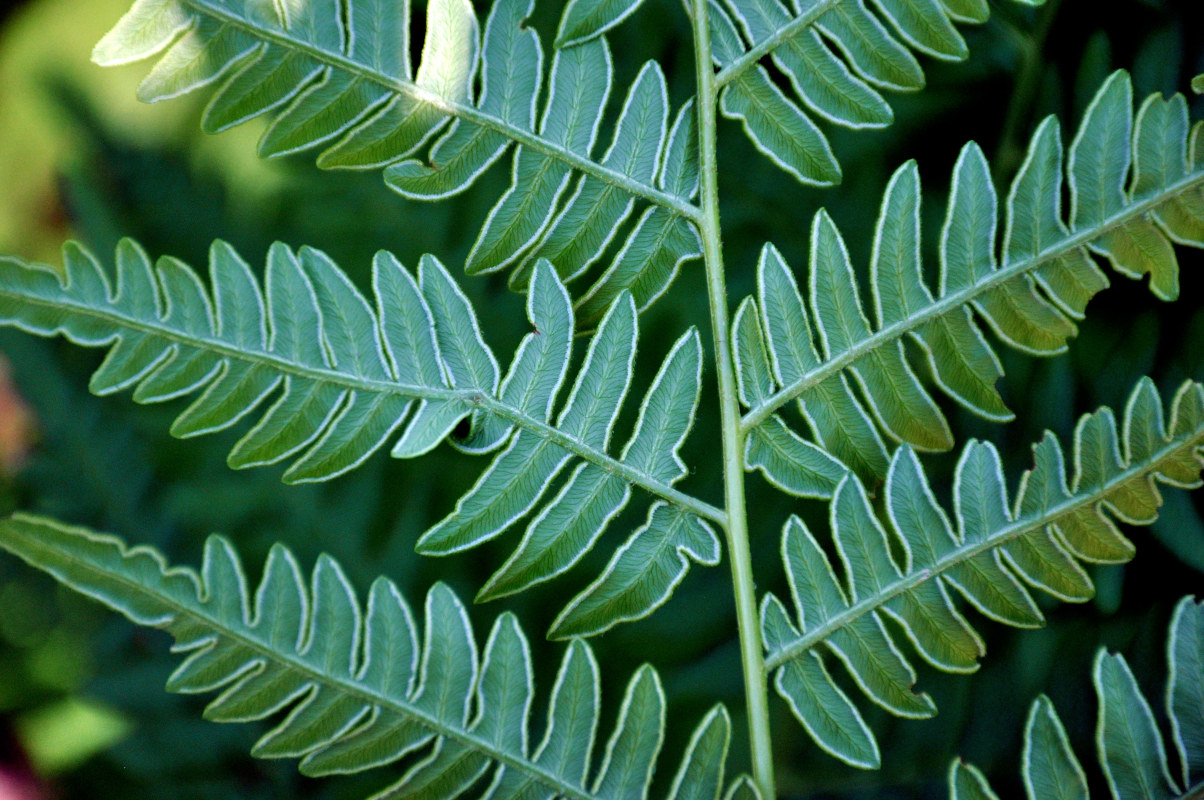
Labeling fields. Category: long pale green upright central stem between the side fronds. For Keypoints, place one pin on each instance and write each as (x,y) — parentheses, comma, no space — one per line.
(752,649)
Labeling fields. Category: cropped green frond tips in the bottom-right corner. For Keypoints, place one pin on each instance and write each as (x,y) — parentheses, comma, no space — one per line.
(1129,743)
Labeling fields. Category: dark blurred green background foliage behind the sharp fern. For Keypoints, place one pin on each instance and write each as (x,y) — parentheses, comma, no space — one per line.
(82,709)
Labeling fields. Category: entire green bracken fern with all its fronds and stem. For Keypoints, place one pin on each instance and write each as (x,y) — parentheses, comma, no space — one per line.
(324,378)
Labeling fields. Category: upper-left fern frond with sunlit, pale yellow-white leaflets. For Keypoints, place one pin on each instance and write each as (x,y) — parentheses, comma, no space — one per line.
(345,83)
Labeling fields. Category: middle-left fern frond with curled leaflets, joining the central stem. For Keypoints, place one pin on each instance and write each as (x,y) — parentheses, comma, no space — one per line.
(418,366)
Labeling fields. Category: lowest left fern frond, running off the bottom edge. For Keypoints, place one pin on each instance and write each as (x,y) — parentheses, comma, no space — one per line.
(359,691)
